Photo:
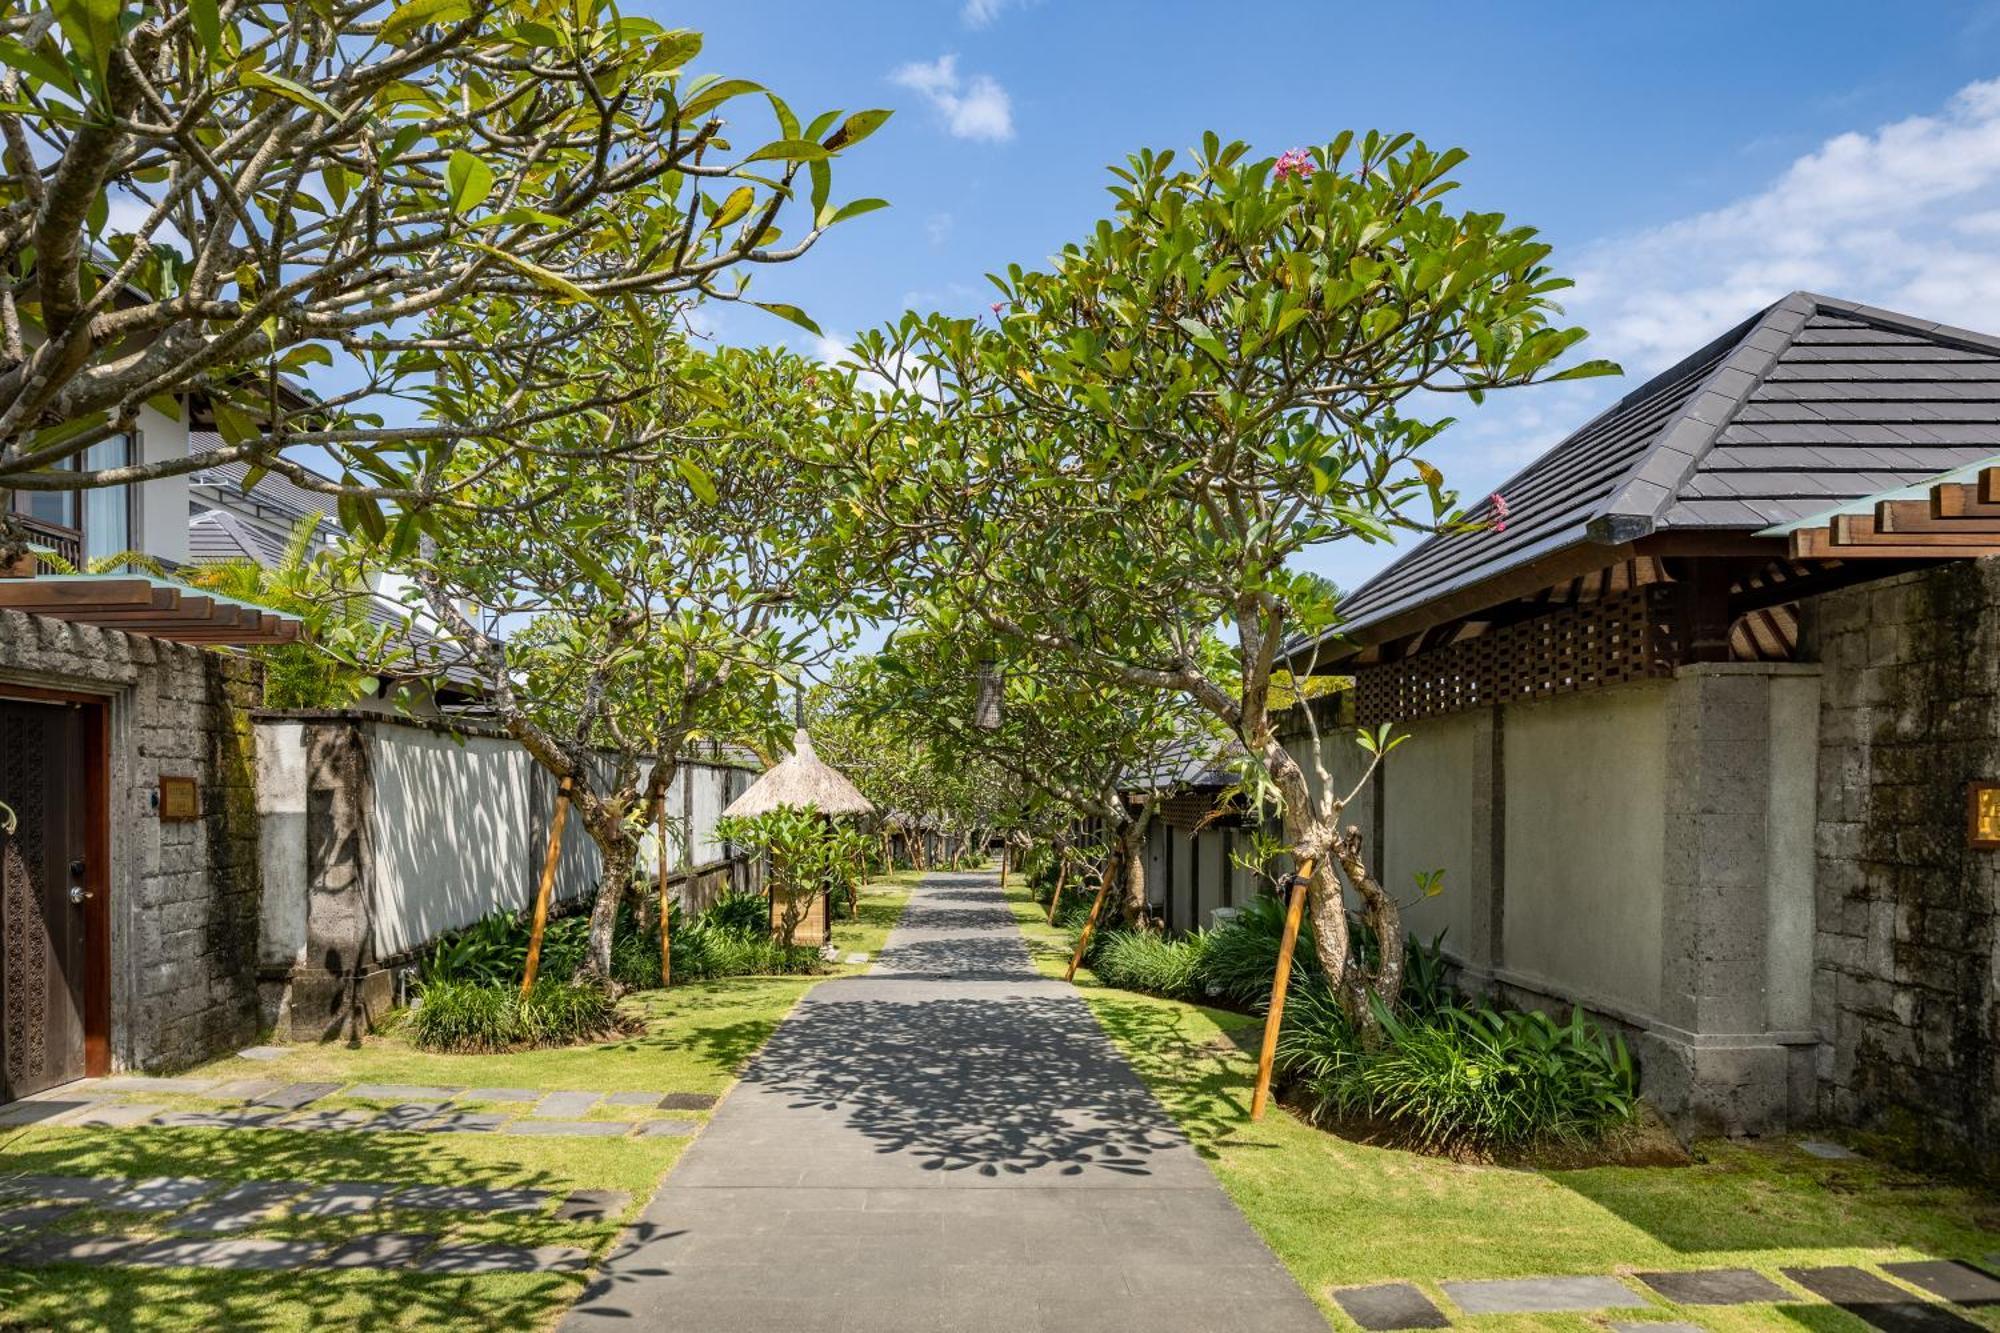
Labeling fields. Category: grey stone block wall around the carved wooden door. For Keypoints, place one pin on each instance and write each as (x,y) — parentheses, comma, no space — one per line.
(185,896)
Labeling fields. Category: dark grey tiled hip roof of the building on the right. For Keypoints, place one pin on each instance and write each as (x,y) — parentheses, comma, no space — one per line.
(1801,407)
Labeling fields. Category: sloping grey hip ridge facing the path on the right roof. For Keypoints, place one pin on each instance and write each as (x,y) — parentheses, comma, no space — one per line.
(1685,439)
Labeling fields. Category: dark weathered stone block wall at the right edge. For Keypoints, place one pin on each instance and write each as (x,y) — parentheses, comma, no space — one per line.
(1907,986)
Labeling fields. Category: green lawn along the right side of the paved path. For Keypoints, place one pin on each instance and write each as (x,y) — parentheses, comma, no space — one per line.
(1343,1214)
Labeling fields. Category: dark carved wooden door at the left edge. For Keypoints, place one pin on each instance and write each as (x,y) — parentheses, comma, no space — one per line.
(43,922)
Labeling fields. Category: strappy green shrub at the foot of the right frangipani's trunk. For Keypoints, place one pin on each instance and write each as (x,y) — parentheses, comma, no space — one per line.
(1481,1078)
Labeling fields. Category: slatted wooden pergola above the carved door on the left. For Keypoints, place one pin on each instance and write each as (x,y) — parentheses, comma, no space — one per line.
(153,607)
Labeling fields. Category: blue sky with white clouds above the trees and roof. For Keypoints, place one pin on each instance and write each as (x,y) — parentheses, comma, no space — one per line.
(1689,161)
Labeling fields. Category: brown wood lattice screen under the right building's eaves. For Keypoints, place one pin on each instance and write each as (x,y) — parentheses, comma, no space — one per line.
(1619,637)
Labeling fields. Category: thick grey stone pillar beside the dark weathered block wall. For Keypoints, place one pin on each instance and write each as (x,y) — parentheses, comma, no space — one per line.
(1733,1050)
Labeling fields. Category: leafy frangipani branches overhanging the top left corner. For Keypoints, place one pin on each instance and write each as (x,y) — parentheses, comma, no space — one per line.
(213,197)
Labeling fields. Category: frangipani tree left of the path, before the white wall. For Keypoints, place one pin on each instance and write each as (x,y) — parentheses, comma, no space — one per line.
(621,607)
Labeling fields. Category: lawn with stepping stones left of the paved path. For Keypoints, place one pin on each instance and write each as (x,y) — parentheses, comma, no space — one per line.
(695,1040)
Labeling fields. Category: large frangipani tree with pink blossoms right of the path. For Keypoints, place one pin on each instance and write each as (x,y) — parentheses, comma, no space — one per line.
(1243,365)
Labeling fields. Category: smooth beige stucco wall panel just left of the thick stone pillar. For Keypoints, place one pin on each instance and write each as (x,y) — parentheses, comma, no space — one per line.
(1585,844)
